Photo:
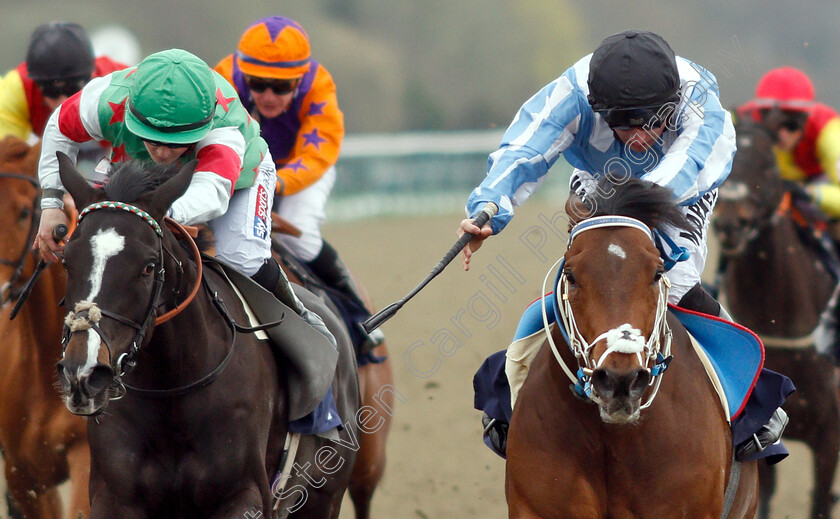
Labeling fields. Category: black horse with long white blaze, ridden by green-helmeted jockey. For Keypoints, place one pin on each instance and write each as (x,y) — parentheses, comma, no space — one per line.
(189,414)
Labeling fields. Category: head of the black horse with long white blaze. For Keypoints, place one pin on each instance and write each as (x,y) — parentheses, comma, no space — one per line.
(115,265)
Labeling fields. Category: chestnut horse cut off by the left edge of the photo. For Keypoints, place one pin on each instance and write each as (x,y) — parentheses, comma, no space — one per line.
(44,445)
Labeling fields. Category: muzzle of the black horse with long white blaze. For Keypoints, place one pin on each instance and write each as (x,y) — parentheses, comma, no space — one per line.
(86,392)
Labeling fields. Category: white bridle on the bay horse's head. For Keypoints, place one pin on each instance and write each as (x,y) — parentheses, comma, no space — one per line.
(653,354)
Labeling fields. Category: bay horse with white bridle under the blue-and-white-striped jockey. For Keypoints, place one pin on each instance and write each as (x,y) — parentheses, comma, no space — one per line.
(652,447)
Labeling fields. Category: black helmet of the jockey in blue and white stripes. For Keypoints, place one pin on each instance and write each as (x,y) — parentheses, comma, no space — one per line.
(632,75)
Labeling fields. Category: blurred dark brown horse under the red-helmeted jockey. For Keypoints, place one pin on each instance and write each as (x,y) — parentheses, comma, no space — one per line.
(777,286)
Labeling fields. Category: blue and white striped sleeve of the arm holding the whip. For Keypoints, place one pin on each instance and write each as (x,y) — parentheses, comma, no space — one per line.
(542,129)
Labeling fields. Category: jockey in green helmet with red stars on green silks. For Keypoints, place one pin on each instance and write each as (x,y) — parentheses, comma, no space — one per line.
(172,107)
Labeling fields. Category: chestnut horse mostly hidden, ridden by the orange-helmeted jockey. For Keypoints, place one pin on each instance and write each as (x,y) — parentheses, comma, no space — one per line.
(376,383)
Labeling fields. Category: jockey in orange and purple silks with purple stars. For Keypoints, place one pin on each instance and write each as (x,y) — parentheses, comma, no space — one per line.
(293,97)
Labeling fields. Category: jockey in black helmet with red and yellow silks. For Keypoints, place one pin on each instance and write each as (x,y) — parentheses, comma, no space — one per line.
(59,62)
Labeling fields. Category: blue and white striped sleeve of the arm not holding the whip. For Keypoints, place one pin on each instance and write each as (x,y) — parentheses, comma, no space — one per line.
(700,158)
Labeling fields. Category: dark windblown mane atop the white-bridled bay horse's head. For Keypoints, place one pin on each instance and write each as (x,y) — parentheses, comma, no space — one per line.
(645,201)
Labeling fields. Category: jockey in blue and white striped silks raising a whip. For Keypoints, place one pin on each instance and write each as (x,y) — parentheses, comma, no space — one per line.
(630,108)
